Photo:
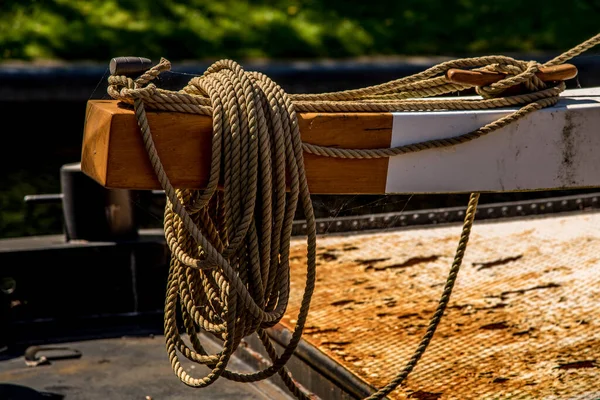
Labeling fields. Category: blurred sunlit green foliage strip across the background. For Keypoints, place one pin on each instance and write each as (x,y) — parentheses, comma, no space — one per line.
(203,29)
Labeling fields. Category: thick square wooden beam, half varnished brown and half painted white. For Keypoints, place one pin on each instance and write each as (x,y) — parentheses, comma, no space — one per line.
(555,148)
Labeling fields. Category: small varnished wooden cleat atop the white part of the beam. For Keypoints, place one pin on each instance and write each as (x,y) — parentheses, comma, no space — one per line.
(480,78)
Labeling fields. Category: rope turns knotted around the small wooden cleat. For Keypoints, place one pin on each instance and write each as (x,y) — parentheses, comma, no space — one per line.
(518,77)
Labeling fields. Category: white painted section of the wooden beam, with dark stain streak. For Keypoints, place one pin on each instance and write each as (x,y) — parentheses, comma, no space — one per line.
(554,148)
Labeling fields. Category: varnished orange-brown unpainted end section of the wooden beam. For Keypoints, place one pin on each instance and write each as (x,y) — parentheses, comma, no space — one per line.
(113,153)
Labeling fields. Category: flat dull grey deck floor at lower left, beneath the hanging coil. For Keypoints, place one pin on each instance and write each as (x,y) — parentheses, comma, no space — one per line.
(121,368)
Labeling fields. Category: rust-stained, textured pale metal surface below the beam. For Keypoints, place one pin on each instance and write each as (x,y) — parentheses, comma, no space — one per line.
(523,321)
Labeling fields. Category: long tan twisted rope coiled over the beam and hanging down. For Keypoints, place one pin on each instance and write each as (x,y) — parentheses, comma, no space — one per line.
(230,248)
